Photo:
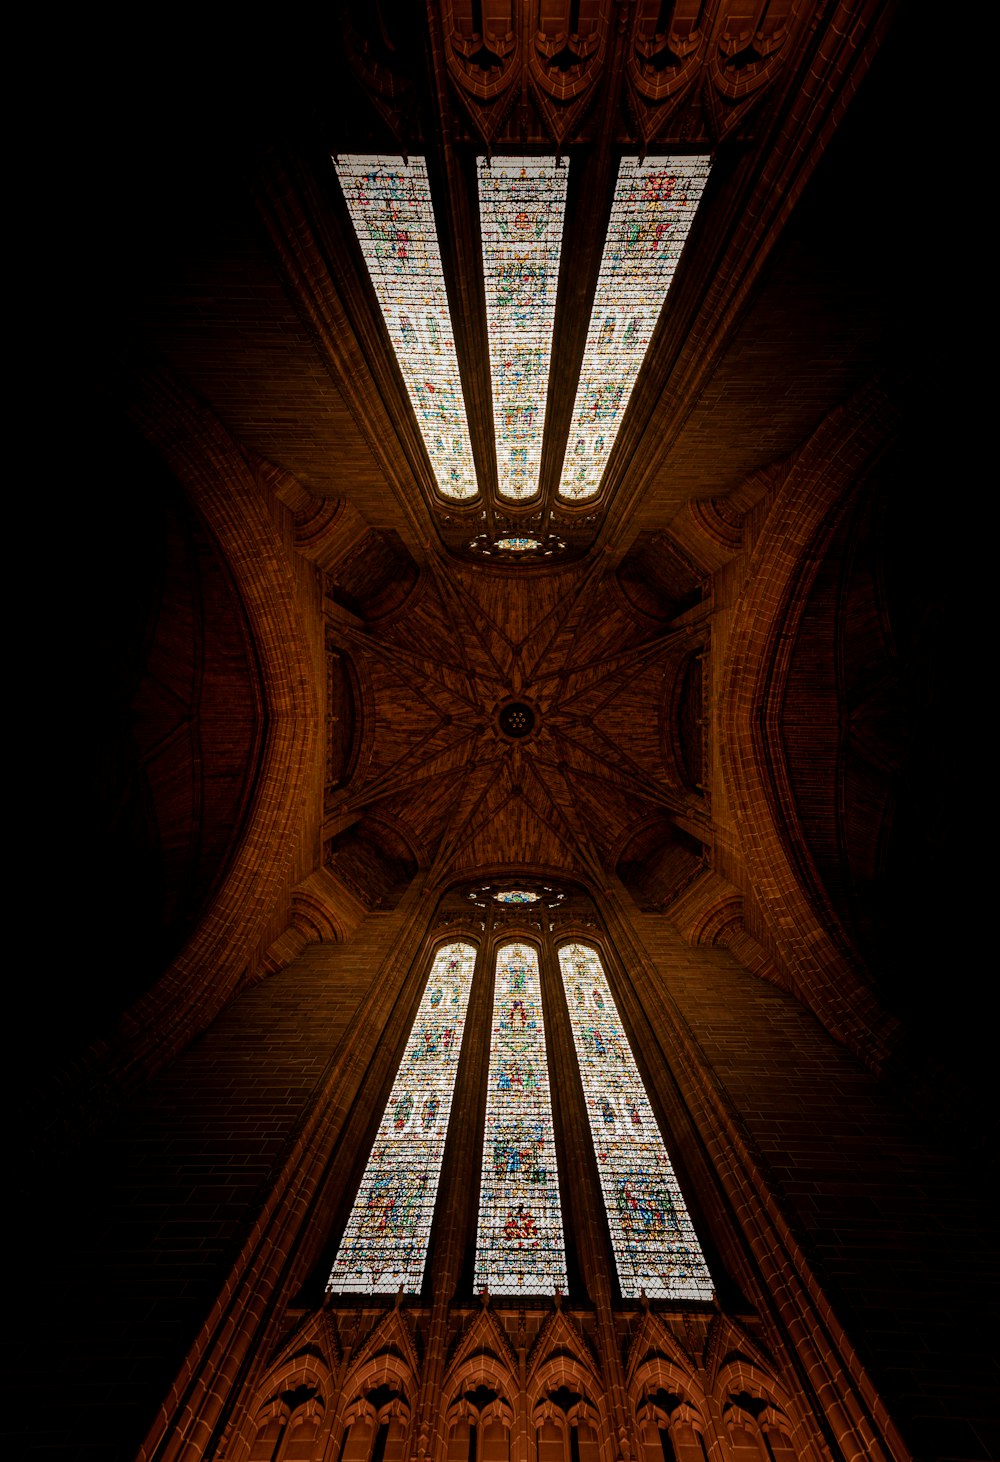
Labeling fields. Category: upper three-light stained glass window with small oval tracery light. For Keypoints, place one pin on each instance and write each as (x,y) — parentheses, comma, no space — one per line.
(523,214)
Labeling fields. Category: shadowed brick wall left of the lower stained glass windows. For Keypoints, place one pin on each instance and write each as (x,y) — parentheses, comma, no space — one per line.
(124,1255)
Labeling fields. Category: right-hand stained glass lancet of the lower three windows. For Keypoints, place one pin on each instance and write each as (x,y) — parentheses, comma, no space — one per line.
(656,1246)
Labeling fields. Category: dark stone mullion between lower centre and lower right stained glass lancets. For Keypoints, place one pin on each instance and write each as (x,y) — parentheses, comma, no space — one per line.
(580,1178)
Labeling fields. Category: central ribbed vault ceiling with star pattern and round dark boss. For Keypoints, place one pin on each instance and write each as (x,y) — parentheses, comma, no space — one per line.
(596,754)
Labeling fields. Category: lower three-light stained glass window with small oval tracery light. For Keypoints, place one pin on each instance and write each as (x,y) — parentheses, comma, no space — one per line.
(520,1239)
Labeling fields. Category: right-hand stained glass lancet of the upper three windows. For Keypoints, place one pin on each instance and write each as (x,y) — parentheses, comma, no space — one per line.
(651,216)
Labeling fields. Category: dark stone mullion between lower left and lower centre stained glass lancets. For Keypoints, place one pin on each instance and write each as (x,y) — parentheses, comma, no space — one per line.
(455,1211)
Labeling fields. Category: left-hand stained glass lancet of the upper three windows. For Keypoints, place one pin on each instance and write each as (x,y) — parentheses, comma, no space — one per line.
(391,208)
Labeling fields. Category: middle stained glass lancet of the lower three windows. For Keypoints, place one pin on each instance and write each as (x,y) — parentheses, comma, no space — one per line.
(520,1246)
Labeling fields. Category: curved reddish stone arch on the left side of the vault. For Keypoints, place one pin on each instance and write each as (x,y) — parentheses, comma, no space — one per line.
(229,493)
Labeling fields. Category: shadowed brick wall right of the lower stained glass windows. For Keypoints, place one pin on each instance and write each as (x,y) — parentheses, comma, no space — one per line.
(895,1224)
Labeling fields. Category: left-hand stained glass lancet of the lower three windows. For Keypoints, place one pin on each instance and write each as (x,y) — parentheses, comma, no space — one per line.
(385,1243)
